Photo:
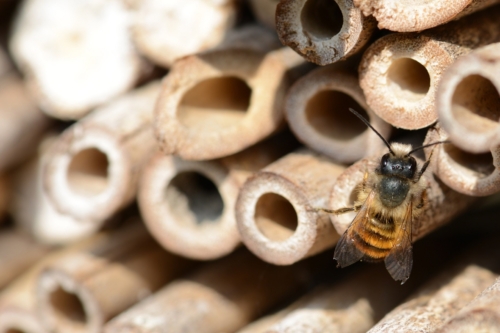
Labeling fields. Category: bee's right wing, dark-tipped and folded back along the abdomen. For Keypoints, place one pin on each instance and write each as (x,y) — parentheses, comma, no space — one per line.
(400,260)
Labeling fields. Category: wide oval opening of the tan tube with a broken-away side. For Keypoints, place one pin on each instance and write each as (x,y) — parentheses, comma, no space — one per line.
(214,104)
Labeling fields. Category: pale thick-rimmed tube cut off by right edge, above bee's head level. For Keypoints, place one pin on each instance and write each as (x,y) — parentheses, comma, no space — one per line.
(468,101)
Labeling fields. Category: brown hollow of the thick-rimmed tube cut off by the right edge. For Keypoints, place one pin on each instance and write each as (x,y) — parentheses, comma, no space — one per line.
(476,104)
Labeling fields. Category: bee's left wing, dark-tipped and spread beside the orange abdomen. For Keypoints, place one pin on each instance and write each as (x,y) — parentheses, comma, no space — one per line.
(346,253)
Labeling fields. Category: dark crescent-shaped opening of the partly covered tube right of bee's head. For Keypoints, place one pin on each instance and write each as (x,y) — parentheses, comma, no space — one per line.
(480,164)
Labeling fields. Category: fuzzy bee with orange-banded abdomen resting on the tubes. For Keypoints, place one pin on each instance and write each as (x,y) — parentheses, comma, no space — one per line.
(389,199)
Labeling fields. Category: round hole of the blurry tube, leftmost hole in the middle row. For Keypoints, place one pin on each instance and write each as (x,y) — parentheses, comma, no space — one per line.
(88,172)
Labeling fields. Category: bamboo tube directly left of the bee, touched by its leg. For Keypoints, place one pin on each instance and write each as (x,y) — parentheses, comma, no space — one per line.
(275,208)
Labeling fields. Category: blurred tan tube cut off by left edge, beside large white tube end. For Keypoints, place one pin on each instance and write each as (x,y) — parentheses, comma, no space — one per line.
(22,125)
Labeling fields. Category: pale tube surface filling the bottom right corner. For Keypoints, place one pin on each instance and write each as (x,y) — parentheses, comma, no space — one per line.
(480,315)
